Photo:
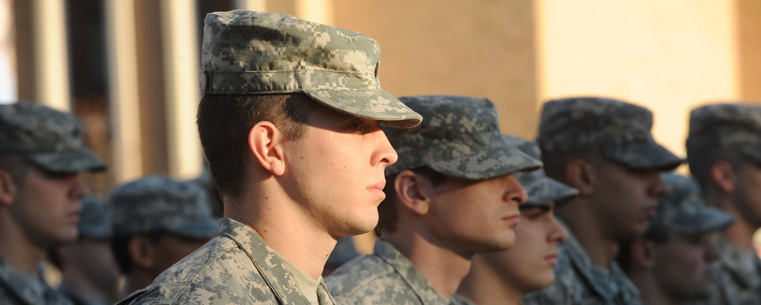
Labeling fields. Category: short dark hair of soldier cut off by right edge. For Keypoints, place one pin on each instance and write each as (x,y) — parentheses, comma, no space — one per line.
(701,161)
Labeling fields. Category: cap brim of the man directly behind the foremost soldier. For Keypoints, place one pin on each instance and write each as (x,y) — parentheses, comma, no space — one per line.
(496,161)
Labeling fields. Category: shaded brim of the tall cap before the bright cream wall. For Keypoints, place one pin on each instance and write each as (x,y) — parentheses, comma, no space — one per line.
(644,156)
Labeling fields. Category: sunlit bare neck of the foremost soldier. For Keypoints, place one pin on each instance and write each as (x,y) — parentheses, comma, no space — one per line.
(286,228)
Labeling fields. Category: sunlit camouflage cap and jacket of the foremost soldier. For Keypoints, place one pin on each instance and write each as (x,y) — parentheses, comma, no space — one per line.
(265,53)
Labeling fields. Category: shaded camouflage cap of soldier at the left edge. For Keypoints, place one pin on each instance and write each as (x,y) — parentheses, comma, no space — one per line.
(46,137)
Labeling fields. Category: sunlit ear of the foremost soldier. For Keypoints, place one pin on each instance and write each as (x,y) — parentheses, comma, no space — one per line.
(264,141)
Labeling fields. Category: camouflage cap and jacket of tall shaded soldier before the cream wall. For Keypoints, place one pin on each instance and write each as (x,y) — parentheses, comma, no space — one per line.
(620,132)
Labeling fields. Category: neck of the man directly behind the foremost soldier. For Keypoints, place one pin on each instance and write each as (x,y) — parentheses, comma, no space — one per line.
(442,267)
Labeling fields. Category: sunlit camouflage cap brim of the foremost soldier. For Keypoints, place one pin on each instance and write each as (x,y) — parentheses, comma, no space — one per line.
(370,104)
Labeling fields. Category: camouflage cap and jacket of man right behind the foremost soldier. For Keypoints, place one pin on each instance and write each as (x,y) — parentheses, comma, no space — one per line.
(459,138)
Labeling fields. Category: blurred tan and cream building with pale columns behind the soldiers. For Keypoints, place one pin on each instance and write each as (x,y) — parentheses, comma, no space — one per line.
(129,68)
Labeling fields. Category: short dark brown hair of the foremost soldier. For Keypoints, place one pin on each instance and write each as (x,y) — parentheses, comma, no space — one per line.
(225,120)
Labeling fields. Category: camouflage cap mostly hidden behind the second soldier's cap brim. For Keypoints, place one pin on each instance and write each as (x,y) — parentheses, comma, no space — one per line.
(541,189)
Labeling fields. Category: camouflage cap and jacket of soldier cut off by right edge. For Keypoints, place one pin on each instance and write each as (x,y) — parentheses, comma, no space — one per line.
(736,128)
